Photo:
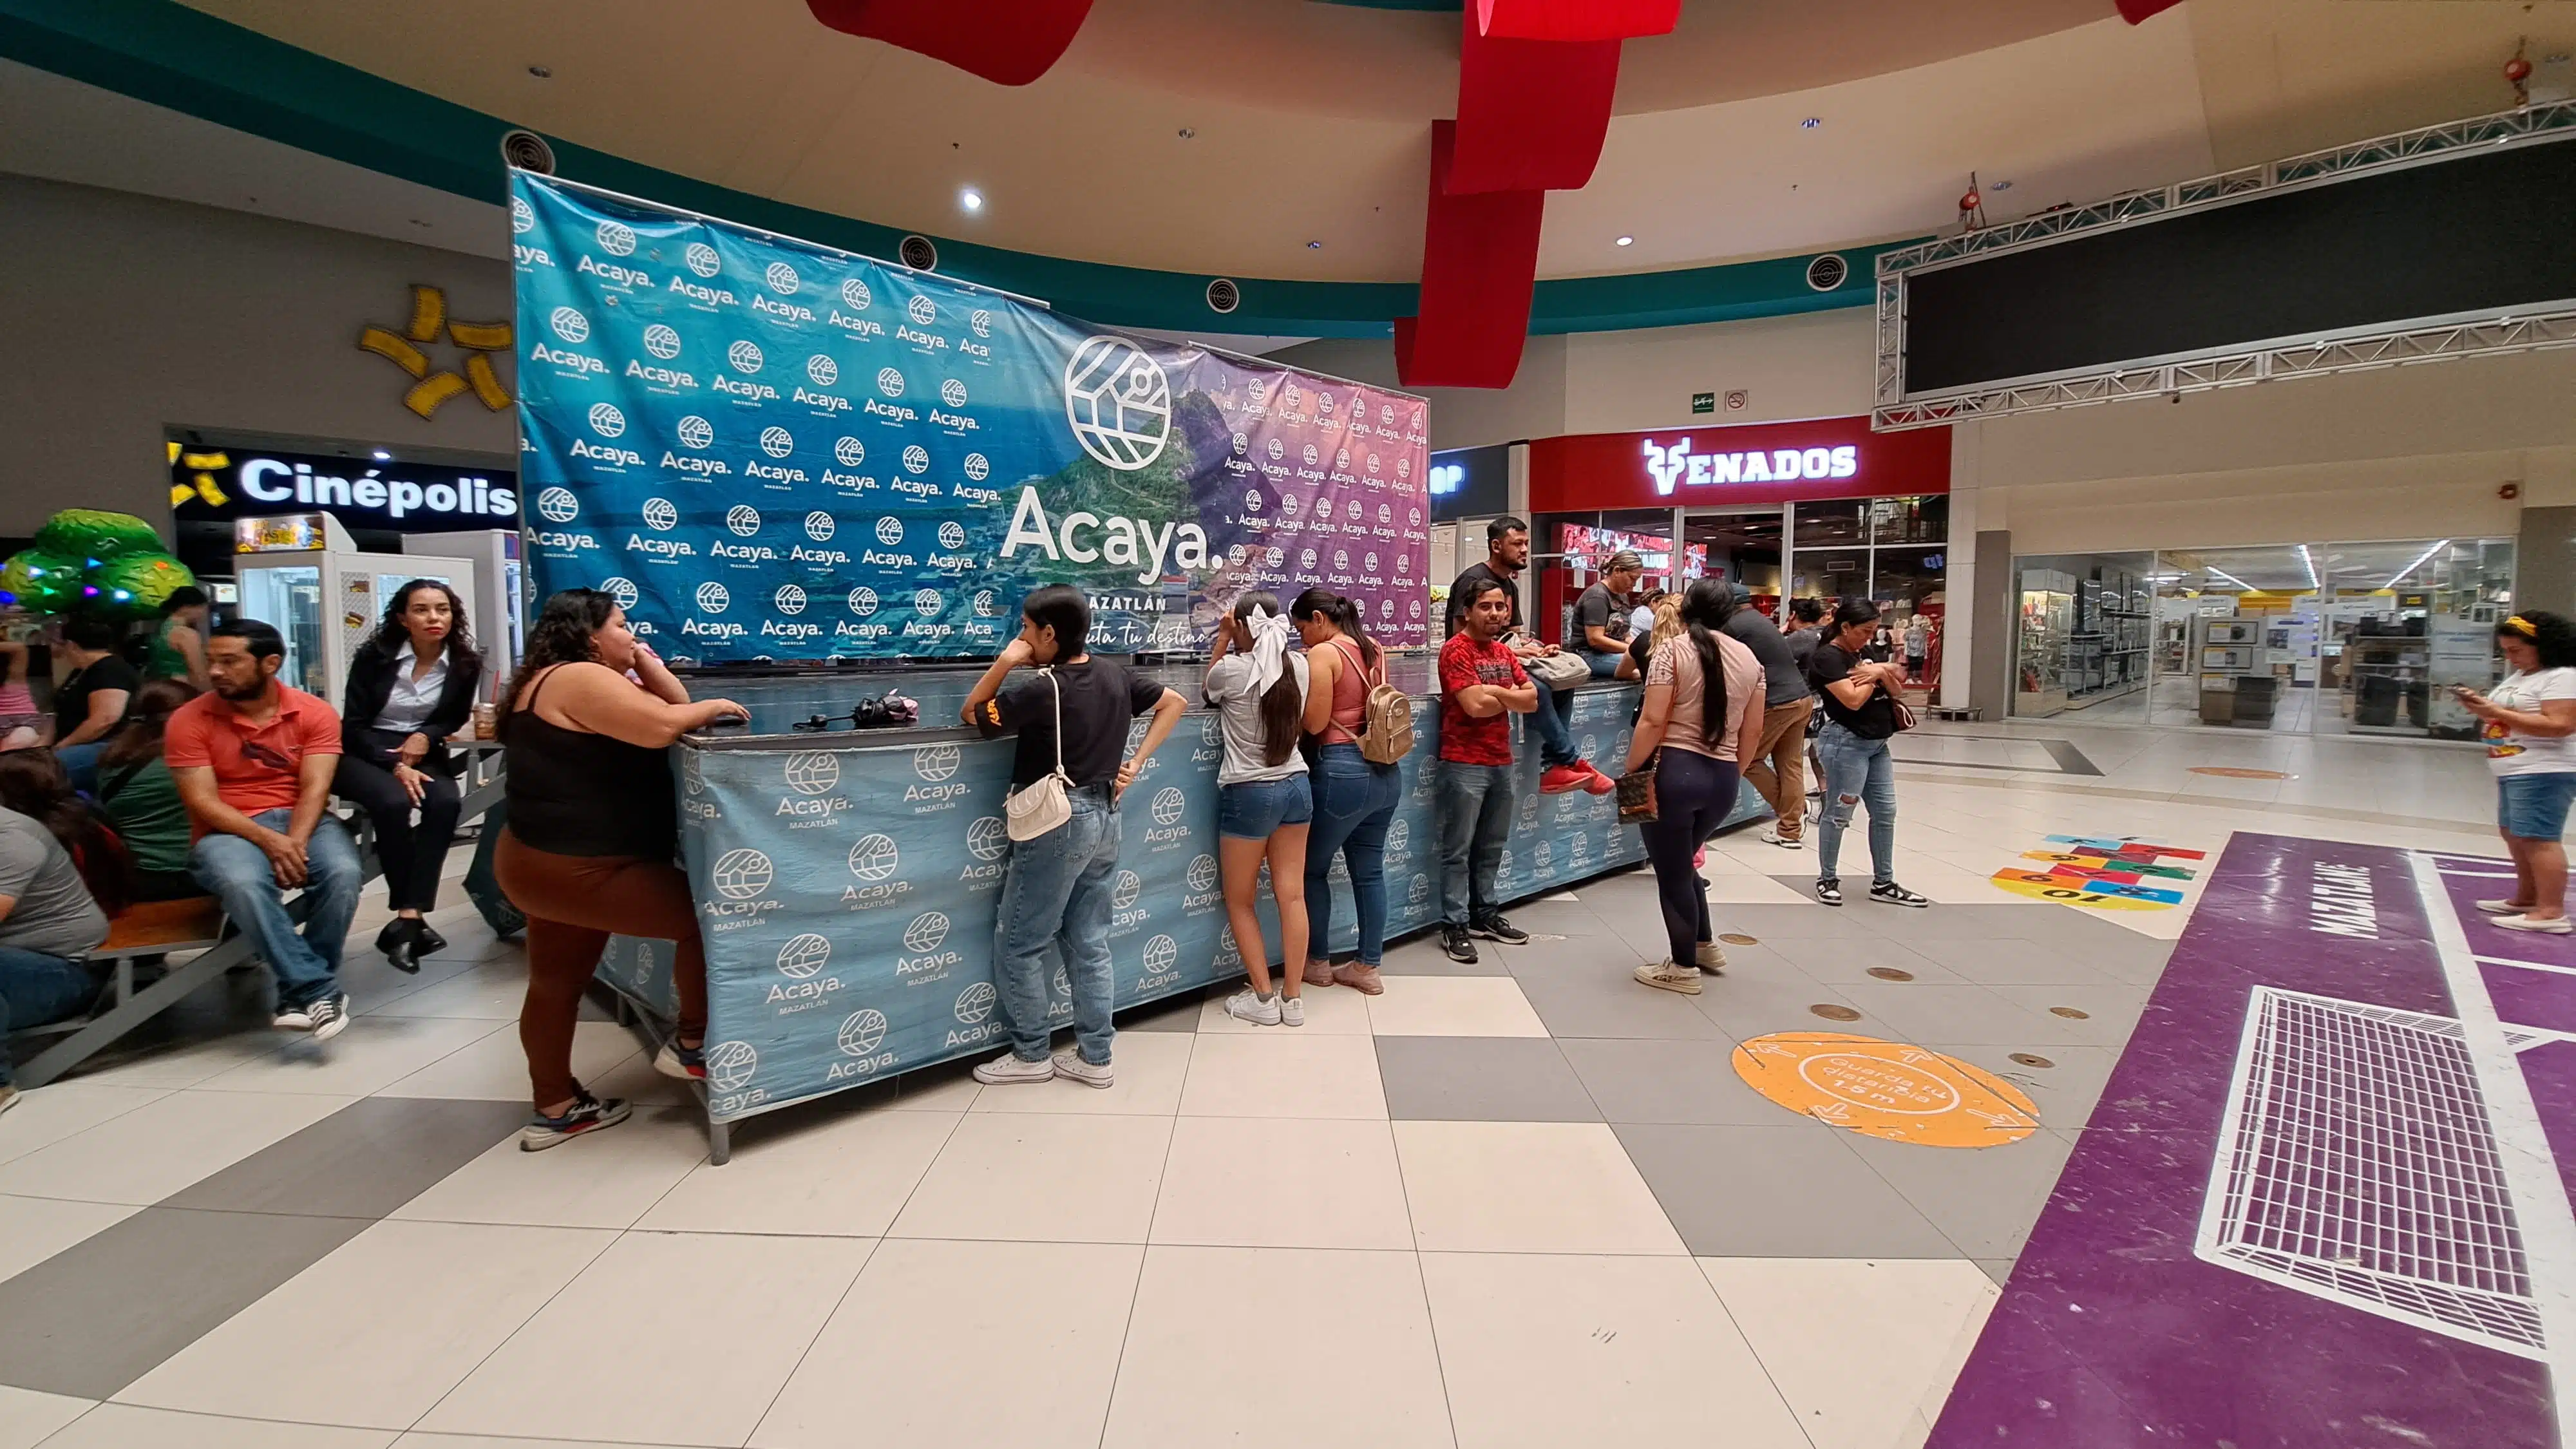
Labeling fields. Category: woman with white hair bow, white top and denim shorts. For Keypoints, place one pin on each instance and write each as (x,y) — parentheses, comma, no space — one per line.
(1264,801)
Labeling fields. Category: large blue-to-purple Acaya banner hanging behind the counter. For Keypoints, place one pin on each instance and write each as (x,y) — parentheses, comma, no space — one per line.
(782,452)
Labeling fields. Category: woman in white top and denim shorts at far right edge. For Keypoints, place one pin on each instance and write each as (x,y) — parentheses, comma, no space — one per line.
(2528,723)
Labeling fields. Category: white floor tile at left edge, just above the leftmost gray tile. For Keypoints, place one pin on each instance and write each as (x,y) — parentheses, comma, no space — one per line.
(164,1146)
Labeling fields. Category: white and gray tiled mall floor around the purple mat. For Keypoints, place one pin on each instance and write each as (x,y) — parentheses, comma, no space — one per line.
(1521,1203)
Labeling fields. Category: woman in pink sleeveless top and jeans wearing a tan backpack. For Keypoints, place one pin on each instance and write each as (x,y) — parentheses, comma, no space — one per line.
(1354,801)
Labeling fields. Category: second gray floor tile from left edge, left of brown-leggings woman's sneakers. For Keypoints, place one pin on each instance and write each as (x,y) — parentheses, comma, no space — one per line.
(362,1162)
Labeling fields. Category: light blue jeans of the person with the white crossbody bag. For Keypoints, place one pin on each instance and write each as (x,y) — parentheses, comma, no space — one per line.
(1057,893)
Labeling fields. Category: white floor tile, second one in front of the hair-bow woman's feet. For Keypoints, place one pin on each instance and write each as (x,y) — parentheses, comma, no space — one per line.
(1284,1182)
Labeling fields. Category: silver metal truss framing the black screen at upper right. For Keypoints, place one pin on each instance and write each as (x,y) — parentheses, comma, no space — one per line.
(2235,367)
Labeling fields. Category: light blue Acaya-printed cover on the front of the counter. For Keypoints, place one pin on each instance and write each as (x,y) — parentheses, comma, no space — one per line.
(849,896)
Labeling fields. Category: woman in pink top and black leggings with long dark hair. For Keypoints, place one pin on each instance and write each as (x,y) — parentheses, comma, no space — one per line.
(1701,715)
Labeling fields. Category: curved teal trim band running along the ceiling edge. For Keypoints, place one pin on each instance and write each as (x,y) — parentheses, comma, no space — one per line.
(169,55)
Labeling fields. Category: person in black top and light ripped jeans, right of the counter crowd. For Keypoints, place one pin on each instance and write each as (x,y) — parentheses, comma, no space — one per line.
(1853,746)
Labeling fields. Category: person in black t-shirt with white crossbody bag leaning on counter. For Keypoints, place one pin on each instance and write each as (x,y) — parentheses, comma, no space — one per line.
(1057,888)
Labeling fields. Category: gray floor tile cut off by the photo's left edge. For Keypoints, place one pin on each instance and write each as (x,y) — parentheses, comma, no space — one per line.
(107,1311)
